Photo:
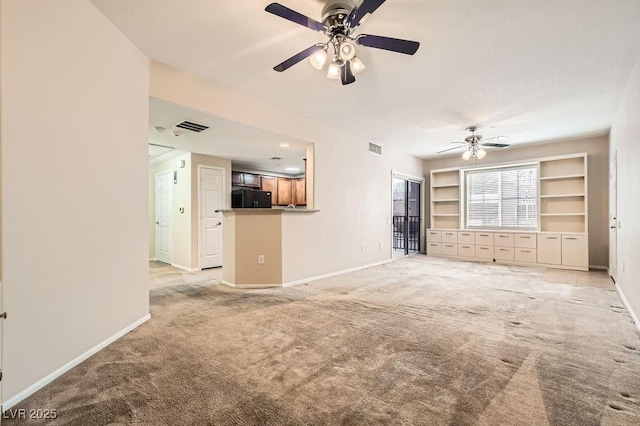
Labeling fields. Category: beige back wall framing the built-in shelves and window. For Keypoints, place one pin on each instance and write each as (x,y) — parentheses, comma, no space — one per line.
(597,149)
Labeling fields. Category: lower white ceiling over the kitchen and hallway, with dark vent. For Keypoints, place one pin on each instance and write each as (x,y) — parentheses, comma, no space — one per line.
(246,146)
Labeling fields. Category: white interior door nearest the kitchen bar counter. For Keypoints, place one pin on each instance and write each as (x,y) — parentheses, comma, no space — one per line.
(211,200)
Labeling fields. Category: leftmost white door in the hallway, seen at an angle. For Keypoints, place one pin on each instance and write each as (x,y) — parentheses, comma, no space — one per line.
(164,216)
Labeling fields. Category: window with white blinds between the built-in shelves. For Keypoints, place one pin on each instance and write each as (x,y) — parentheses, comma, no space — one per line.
(505,197)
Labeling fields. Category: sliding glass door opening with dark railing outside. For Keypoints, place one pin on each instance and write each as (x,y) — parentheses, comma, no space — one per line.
(407,202)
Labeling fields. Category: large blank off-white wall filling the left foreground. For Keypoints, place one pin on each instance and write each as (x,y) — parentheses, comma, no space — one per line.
(74,185)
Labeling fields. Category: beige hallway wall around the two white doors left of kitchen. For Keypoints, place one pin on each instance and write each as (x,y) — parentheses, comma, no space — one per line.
(185,194)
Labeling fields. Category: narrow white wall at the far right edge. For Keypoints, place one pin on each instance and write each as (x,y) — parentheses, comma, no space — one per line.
(624,139)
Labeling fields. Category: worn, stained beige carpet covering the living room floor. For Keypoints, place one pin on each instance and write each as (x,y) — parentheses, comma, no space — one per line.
(421,340)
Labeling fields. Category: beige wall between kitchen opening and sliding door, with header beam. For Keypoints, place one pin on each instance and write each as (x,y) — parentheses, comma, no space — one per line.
(352,186)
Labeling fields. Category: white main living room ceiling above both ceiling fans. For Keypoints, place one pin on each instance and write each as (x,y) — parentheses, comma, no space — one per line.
(537,70)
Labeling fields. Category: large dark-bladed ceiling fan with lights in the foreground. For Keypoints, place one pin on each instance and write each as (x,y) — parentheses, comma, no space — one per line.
(339,22)
